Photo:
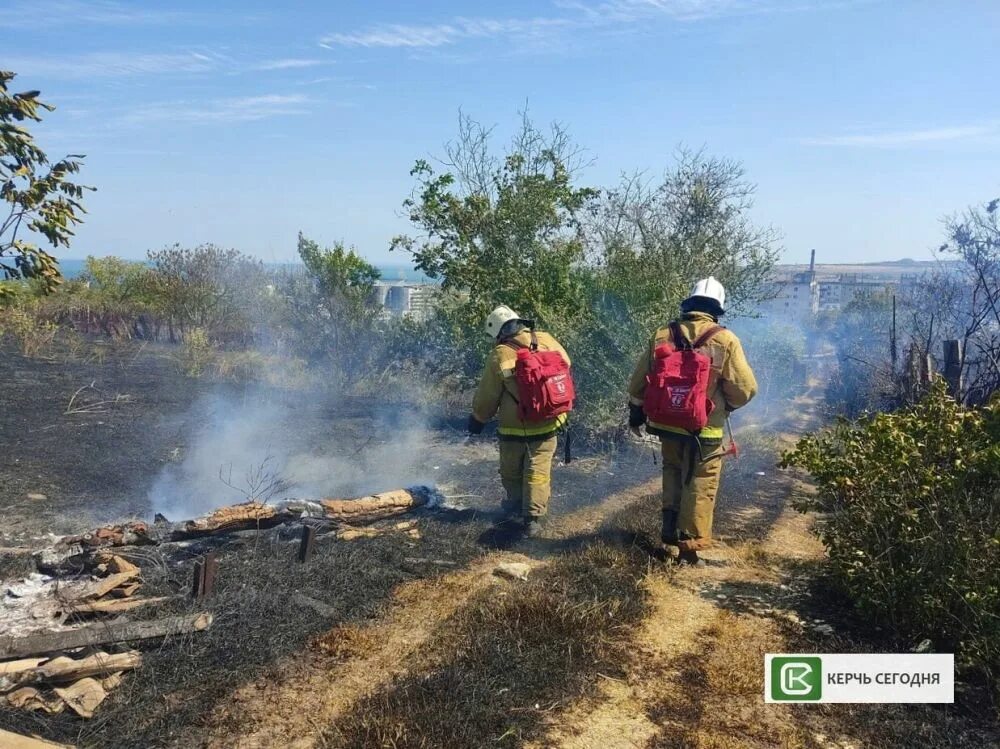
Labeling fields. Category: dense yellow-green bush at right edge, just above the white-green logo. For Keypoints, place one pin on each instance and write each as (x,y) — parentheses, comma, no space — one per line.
(911,504)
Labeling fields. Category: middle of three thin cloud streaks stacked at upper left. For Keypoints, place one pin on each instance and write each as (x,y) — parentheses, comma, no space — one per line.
(116,64)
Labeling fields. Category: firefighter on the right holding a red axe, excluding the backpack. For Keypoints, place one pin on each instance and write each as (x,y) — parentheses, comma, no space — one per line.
(692,463)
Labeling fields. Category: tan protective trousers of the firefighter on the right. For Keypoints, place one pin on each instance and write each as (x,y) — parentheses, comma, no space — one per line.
(689,488)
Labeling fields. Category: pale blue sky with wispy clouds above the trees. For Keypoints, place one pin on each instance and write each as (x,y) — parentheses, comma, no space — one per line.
(241,123)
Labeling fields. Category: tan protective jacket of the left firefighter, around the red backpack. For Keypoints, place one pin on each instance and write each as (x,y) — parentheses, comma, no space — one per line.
(497,391)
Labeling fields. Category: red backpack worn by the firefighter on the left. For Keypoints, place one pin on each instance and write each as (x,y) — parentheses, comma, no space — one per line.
(544,385)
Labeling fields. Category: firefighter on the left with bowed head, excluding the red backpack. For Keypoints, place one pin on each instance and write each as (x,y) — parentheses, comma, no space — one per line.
(526,450)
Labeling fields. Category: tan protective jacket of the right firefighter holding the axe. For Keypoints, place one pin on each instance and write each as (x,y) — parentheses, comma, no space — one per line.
(731,383)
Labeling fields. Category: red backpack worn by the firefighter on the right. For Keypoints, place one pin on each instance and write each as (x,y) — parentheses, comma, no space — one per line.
(677,384)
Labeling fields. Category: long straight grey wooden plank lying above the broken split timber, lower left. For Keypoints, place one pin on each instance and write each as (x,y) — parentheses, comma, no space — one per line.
(100,634)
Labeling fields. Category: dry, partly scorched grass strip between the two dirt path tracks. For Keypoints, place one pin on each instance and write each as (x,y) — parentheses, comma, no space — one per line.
(508,658)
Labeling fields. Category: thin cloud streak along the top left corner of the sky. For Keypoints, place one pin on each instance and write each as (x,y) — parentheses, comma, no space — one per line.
(47,13)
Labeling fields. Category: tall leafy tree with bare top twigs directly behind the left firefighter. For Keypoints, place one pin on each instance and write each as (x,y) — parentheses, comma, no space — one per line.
(501,229)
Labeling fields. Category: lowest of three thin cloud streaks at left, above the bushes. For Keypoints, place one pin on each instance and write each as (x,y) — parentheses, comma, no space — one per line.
(234,110)
